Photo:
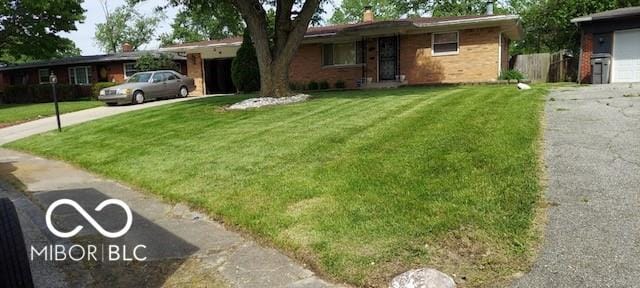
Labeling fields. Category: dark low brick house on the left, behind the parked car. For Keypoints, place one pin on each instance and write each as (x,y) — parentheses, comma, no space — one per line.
(79,70)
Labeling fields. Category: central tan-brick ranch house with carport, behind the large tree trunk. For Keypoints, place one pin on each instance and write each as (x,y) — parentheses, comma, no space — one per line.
(374,53)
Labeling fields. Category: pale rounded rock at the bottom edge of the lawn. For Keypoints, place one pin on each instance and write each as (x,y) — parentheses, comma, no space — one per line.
(422,278)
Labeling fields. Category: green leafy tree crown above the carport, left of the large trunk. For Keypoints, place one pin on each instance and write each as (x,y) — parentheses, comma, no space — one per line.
(204,22)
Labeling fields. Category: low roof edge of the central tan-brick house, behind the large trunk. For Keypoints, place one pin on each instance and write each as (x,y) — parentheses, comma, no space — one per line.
(332,30)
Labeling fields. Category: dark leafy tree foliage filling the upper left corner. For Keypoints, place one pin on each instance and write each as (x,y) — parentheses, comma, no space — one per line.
(28,28)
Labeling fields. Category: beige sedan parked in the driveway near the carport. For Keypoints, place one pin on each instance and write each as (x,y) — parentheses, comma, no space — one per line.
(149,85)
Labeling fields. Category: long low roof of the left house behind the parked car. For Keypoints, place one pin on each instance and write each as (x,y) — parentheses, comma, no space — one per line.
(123,56)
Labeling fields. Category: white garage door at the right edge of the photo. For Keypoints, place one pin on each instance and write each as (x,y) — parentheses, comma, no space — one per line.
(626,57)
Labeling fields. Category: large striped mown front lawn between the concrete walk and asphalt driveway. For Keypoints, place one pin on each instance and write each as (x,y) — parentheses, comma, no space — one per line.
(361,185)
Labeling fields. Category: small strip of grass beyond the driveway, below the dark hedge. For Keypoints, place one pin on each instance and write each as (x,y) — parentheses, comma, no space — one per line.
(16,113)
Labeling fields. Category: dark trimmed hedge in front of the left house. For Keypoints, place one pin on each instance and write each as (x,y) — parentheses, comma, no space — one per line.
(24,94)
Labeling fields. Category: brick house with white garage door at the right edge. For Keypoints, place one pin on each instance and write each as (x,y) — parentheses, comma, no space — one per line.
(610,46)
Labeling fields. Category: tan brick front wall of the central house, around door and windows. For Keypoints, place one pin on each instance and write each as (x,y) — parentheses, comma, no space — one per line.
(478,61)
